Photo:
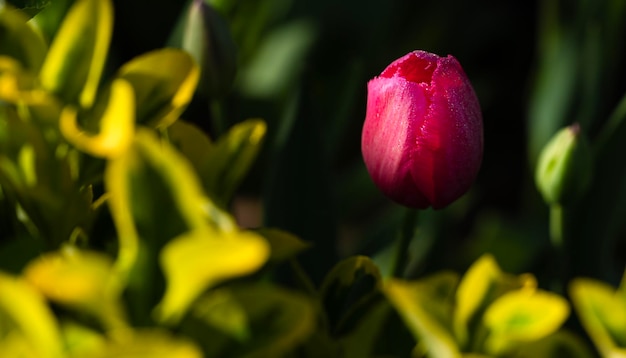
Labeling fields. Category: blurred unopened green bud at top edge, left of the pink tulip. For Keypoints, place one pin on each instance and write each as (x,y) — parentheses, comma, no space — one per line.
(203,33)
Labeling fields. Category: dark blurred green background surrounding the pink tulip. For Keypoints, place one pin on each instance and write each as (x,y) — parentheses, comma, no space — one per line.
(303,67)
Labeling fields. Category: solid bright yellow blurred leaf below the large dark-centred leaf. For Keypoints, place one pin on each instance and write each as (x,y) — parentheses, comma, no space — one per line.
(199,260)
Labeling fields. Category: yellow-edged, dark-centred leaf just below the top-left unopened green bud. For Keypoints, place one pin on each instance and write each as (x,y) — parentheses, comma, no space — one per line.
(164,82)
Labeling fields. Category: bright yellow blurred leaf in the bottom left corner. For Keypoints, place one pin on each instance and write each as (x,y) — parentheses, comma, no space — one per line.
(28,311)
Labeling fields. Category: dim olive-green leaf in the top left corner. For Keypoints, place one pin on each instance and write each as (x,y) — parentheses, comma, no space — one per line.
(19,40)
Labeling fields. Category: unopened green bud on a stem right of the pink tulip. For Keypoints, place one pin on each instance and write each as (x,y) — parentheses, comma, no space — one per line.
(565,166)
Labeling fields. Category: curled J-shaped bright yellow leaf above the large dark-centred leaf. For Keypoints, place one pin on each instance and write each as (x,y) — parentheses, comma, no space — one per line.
(117,124)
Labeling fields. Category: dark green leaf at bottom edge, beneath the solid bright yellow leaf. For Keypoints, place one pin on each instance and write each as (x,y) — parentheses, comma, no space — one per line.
(279,321)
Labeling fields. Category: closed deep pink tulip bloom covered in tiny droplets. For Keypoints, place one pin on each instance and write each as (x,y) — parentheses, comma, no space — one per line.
(422,139)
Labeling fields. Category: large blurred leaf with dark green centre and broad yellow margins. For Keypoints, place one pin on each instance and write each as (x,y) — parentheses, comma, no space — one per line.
(154,194)
